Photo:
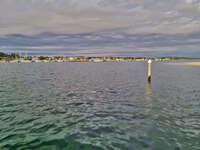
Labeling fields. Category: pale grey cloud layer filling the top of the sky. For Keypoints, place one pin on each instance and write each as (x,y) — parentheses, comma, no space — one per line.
(76,16)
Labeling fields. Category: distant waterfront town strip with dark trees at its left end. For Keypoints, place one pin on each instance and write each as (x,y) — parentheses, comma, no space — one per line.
(15,58)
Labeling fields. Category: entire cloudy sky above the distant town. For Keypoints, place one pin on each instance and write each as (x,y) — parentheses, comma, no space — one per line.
(101,27)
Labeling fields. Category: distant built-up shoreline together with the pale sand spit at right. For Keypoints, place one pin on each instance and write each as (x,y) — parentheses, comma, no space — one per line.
(32,59)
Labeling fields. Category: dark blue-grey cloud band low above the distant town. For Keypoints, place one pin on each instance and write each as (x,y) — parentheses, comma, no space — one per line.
(104,43)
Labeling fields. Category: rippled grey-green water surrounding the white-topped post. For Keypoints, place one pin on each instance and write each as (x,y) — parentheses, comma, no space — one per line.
(99,106)
